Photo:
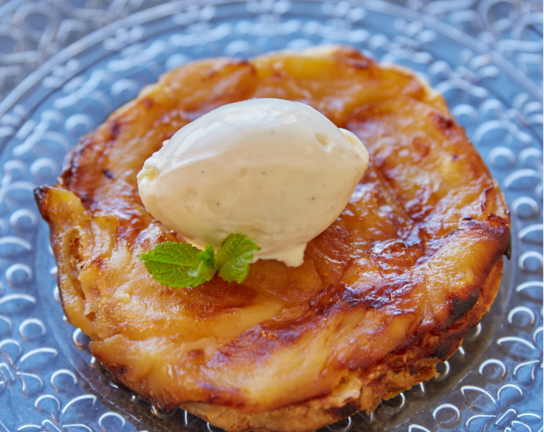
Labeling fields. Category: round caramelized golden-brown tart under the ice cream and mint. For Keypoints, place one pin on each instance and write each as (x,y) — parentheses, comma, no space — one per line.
(386,292)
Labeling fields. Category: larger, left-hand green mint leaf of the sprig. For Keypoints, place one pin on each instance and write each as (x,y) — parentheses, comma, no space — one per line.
(179,265)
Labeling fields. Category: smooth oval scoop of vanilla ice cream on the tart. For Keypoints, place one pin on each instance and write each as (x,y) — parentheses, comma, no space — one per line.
(278,171)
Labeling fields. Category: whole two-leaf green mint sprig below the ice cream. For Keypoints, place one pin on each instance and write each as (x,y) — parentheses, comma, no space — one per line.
(180,265)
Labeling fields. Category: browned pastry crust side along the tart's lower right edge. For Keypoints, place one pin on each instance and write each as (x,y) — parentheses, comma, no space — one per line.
(396,372)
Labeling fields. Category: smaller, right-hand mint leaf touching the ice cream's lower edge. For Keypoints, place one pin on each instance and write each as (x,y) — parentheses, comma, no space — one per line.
(234,257)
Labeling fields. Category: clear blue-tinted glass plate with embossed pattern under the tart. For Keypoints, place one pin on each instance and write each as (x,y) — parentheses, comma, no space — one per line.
(49,380)
